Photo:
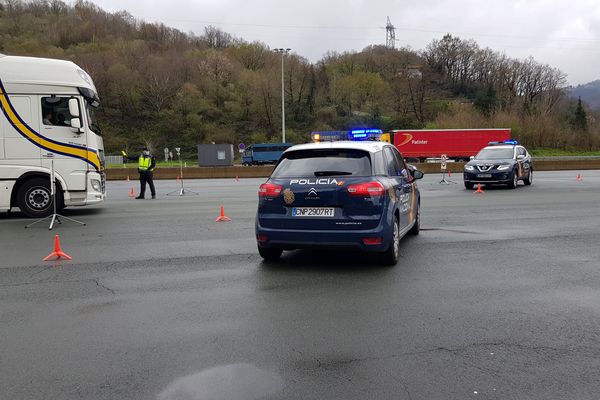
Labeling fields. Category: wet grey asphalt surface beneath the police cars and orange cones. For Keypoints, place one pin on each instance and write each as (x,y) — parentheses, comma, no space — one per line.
(498,298)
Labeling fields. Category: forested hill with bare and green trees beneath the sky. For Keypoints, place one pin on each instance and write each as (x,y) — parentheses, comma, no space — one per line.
(163,87)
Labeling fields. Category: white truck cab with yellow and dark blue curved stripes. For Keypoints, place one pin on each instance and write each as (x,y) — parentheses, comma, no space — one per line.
(47,118)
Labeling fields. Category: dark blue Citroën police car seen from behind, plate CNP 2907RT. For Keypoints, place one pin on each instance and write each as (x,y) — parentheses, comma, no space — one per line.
(340,194)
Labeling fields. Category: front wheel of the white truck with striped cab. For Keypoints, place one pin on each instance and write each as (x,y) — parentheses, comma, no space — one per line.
(35,200)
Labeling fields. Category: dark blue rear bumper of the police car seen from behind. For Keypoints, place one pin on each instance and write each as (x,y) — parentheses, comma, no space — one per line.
(314,239)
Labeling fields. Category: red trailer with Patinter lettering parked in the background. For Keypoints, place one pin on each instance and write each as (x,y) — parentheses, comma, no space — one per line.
(458,144)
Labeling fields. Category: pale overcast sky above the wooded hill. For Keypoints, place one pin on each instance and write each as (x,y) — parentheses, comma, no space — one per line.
(564,34)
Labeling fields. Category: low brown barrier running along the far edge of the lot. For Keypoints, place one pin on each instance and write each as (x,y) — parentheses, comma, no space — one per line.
(544,164)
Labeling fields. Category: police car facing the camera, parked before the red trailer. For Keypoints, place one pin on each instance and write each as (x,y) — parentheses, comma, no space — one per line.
(500,163)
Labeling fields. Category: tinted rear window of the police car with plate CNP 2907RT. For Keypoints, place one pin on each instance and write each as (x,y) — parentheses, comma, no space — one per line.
(323,162)
